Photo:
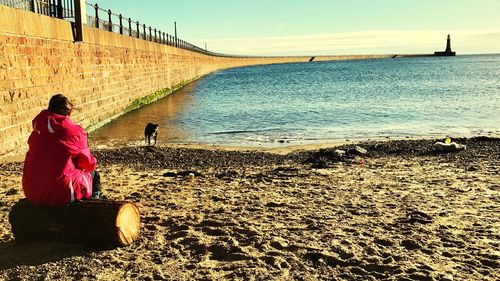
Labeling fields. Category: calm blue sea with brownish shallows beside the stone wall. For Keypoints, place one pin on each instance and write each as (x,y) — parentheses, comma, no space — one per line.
(300,103)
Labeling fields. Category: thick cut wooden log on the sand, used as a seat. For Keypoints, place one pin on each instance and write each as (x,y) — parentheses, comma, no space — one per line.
(91,222)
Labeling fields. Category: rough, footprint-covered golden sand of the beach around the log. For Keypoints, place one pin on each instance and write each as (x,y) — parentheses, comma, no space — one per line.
(400,212)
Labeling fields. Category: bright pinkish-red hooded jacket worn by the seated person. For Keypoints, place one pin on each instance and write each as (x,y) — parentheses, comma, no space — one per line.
(58,163)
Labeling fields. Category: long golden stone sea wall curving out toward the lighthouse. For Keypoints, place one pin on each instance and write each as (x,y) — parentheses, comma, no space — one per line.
(106,75)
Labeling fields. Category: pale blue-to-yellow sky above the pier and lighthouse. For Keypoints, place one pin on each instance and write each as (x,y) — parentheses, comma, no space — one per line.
(320,27)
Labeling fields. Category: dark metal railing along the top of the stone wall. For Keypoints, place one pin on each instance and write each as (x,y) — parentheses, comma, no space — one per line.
(106,20)
